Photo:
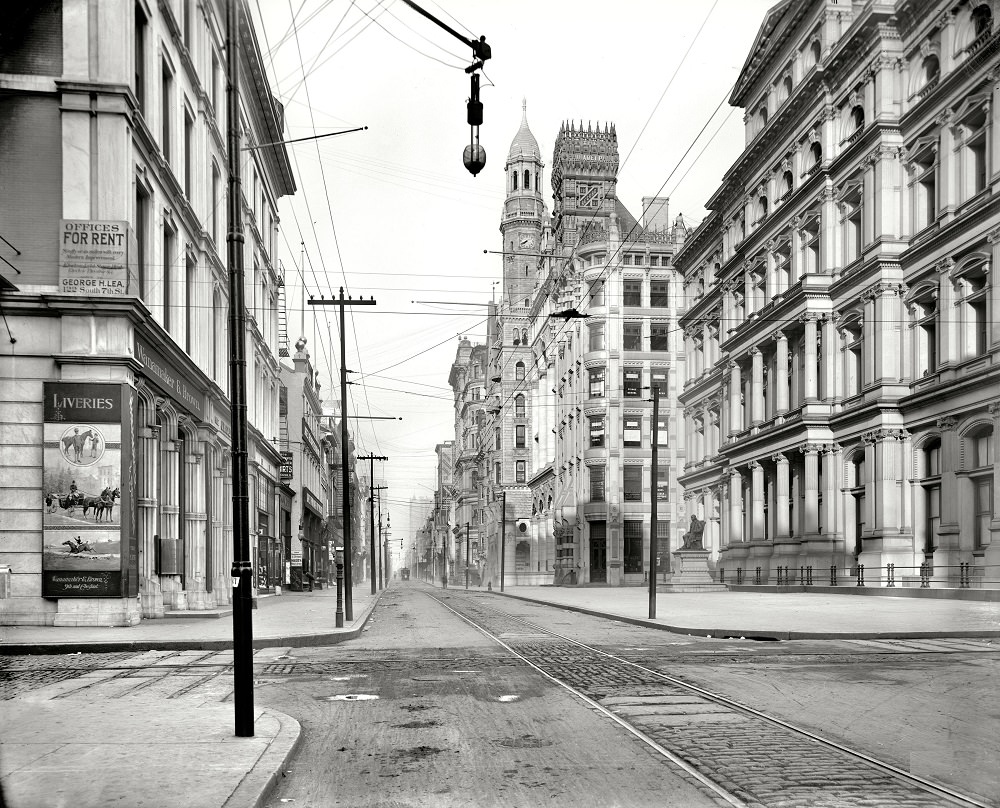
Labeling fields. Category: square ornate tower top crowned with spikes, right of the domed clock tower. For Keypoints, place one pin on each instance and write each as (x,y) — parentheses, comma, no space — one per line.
(584,167)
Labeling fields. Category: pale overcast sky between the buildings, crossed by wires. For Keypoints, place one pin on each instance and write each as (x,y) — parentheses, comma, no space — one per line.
(392,213)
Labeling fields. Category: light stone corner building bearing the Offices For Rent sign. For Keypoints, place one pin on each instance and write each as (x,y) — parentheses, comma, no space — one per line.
(114,215)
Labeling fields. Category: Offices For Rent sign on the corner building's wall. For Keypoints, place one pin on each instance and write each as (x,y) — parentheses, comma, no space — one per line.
(93,257)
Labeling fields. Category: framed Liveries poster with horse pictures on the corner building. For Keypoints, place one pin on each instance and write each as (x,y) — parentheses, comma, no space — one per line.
(87,508)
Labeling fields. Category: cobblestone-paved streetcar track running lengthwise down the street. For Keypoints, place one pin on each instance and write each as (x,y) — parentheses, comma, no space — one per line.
(734,792)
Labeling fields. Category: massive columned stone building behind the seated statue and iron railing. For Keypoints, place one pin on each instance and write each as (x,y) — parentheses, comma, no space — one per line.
(842,395)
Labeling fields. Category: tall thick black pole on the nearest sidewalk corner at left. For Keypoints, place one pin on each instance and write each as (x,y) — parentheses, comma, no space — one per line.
(242,572)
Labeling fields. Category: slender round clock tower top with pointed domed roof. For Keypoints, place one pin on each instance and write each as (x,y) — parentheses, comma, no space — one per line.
(523,212)
